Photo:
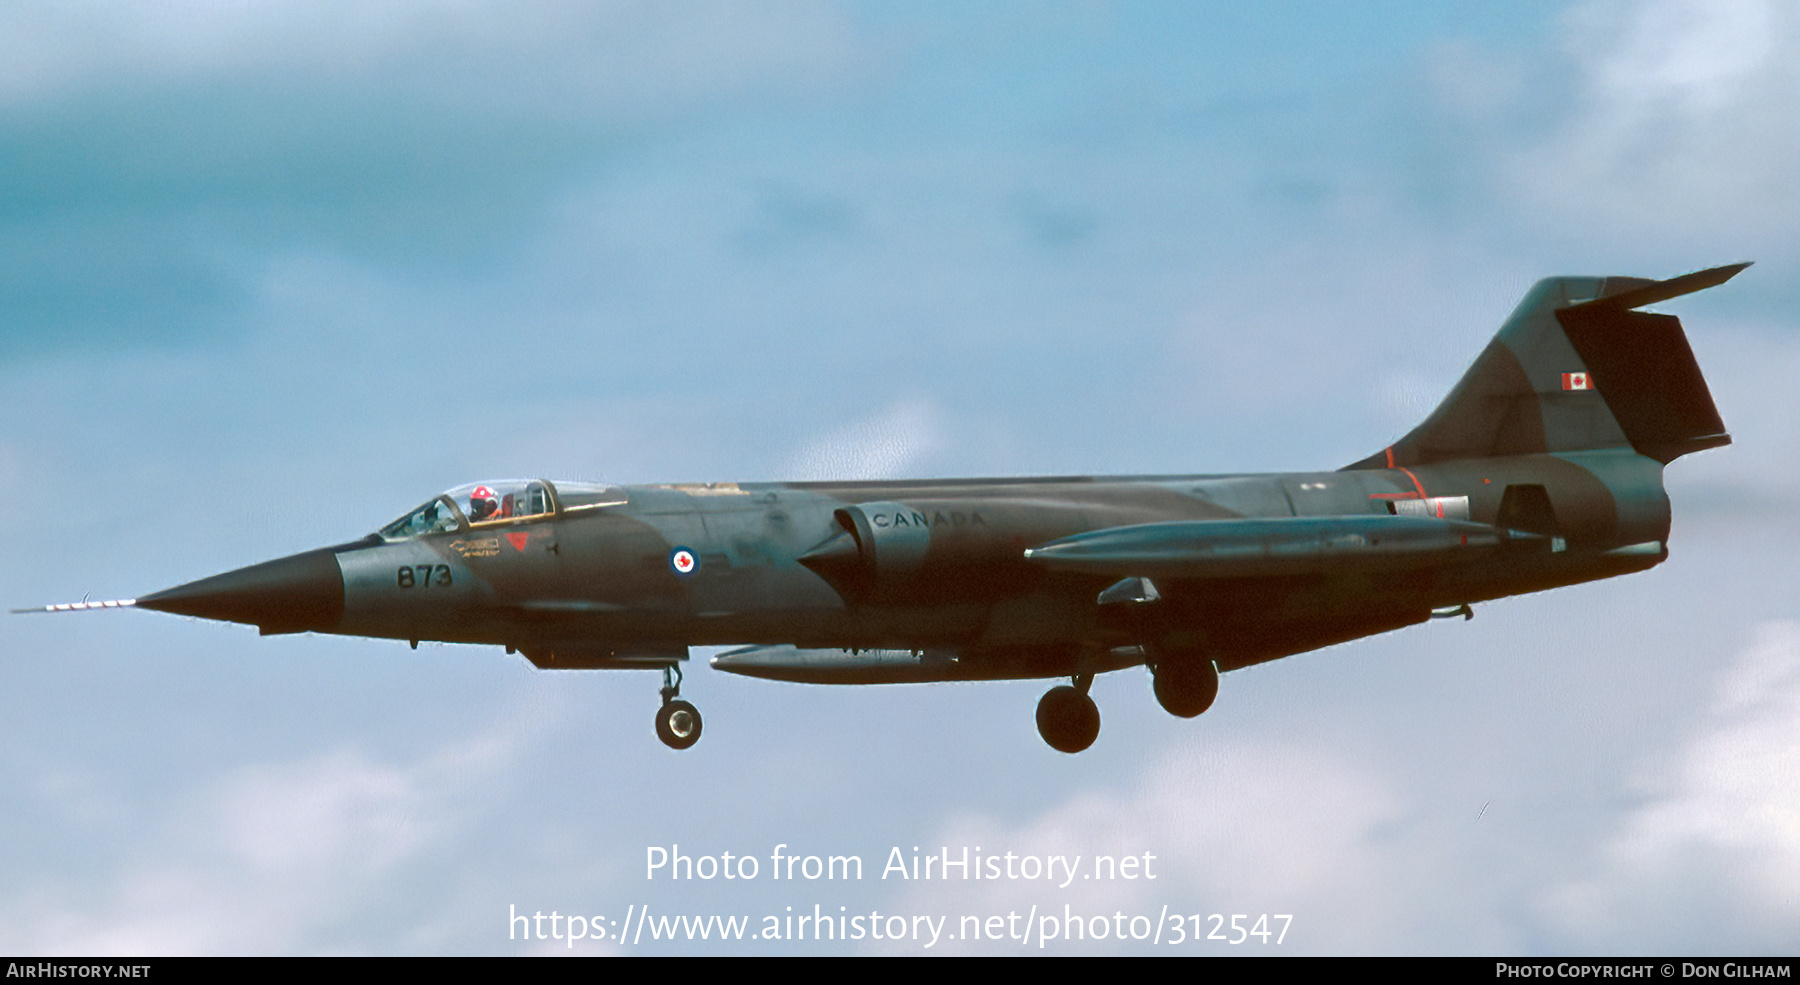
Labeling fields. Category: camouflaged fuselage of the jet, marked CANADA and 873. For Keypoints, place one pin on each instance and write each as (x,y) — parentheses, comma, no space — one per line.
(942,565)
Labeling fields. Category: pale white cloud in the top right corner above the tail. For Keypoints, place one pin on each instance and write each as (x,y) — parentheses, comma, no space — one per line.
(1677,125)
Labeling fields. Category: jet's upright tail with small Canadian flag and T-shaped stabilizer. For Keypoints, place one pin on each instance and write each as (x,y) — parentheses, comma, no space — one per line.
(1576,368)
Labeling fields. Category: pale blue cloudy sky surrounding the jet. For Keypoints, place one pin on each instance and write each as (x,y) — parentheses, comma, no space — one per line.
(274,273)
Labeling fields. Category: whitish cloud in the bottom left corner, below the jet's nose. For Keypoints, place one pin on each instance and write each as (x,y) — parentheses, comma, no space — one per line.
(273,858)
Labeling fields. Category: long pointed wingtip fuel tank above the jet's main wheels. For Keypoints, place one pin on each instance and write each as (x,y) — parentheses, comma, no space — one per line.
(1270,547)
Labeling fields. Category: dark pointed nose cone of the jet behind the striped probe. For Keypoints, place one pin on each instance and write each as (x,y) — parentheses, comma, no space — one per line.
(287,595)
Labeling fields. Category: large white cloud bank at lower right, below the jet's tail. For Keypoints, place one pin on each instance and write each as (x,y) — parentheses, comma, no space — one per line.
(1704,858)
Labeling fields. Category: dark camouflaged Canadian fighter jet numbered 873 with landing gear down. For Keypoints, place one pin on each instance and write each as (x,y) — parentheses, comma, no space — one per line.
(1542,469)
